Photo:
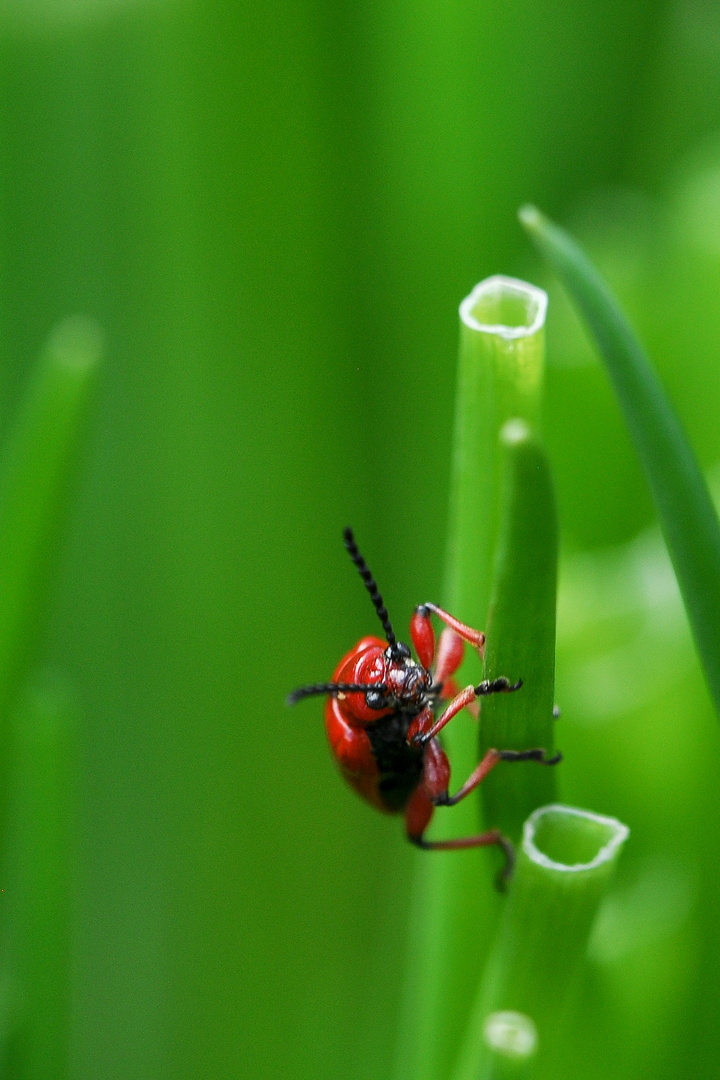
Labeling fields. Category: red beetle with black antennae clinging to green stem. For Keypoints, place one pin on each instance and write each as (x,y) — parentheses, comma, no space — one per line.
(382,724)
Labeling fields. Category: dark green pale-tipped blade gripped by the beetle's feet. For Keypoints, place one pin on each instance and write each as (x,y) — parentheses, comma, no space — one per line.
(521,642)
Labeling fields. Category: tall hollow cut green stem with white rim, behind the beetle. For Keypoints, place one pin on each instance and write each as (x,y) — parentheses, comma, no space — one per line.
(500,376)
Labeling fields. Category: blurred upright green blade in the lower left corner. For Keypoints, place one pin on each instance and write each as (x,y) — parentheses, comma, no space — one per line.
(39,875)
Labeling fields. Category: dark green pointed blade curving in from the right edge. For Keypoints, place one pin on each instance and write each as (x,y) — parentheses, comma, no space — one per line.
(687,516)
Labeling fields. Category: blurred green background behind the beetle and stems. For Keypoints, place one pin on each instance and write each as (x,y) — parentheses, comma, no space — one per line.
(274,211)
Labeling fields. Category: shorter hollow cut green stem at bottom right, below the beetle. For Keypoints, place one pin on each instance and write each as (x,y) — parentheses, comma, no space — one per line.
(565,865)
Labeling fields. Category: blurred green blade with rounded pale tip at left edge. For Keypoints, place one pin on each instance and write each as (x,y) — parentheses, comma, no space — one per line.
(36,468)
